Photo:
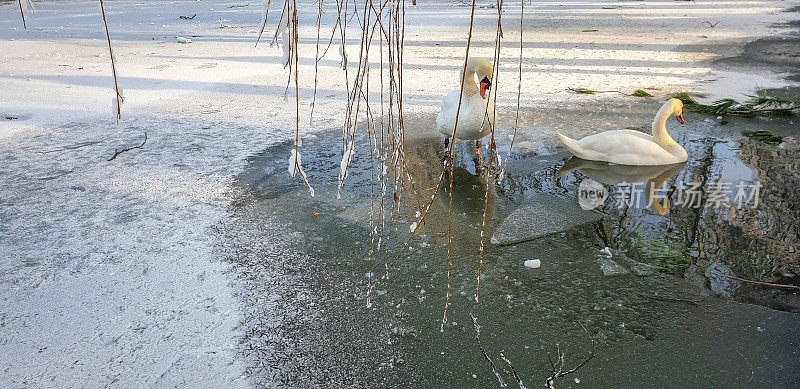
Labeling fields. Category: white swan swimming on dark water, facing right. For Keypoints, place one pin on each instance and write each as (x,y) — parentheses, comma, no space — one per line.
(629,147)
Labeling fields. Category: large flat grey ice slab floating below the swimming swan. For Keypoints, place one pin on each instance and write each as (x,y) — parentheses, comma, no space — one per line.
(544,216)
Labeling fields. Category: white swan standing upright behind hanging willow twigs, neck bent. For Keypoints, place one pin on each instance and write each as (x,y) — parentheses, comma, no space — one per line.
(476,117)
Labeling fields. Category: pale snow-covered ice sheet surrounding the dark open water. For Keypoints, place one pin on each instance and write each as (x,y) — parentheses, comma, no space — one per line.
(109,272)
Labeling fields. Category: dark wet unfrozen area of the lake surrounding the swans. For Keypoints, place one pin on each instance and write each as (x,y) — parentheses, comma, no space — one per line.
(654,326)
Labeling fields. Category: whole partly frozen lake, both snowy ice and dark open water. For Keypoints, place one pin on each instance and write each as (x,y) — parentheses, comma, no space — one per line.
(197,261)
